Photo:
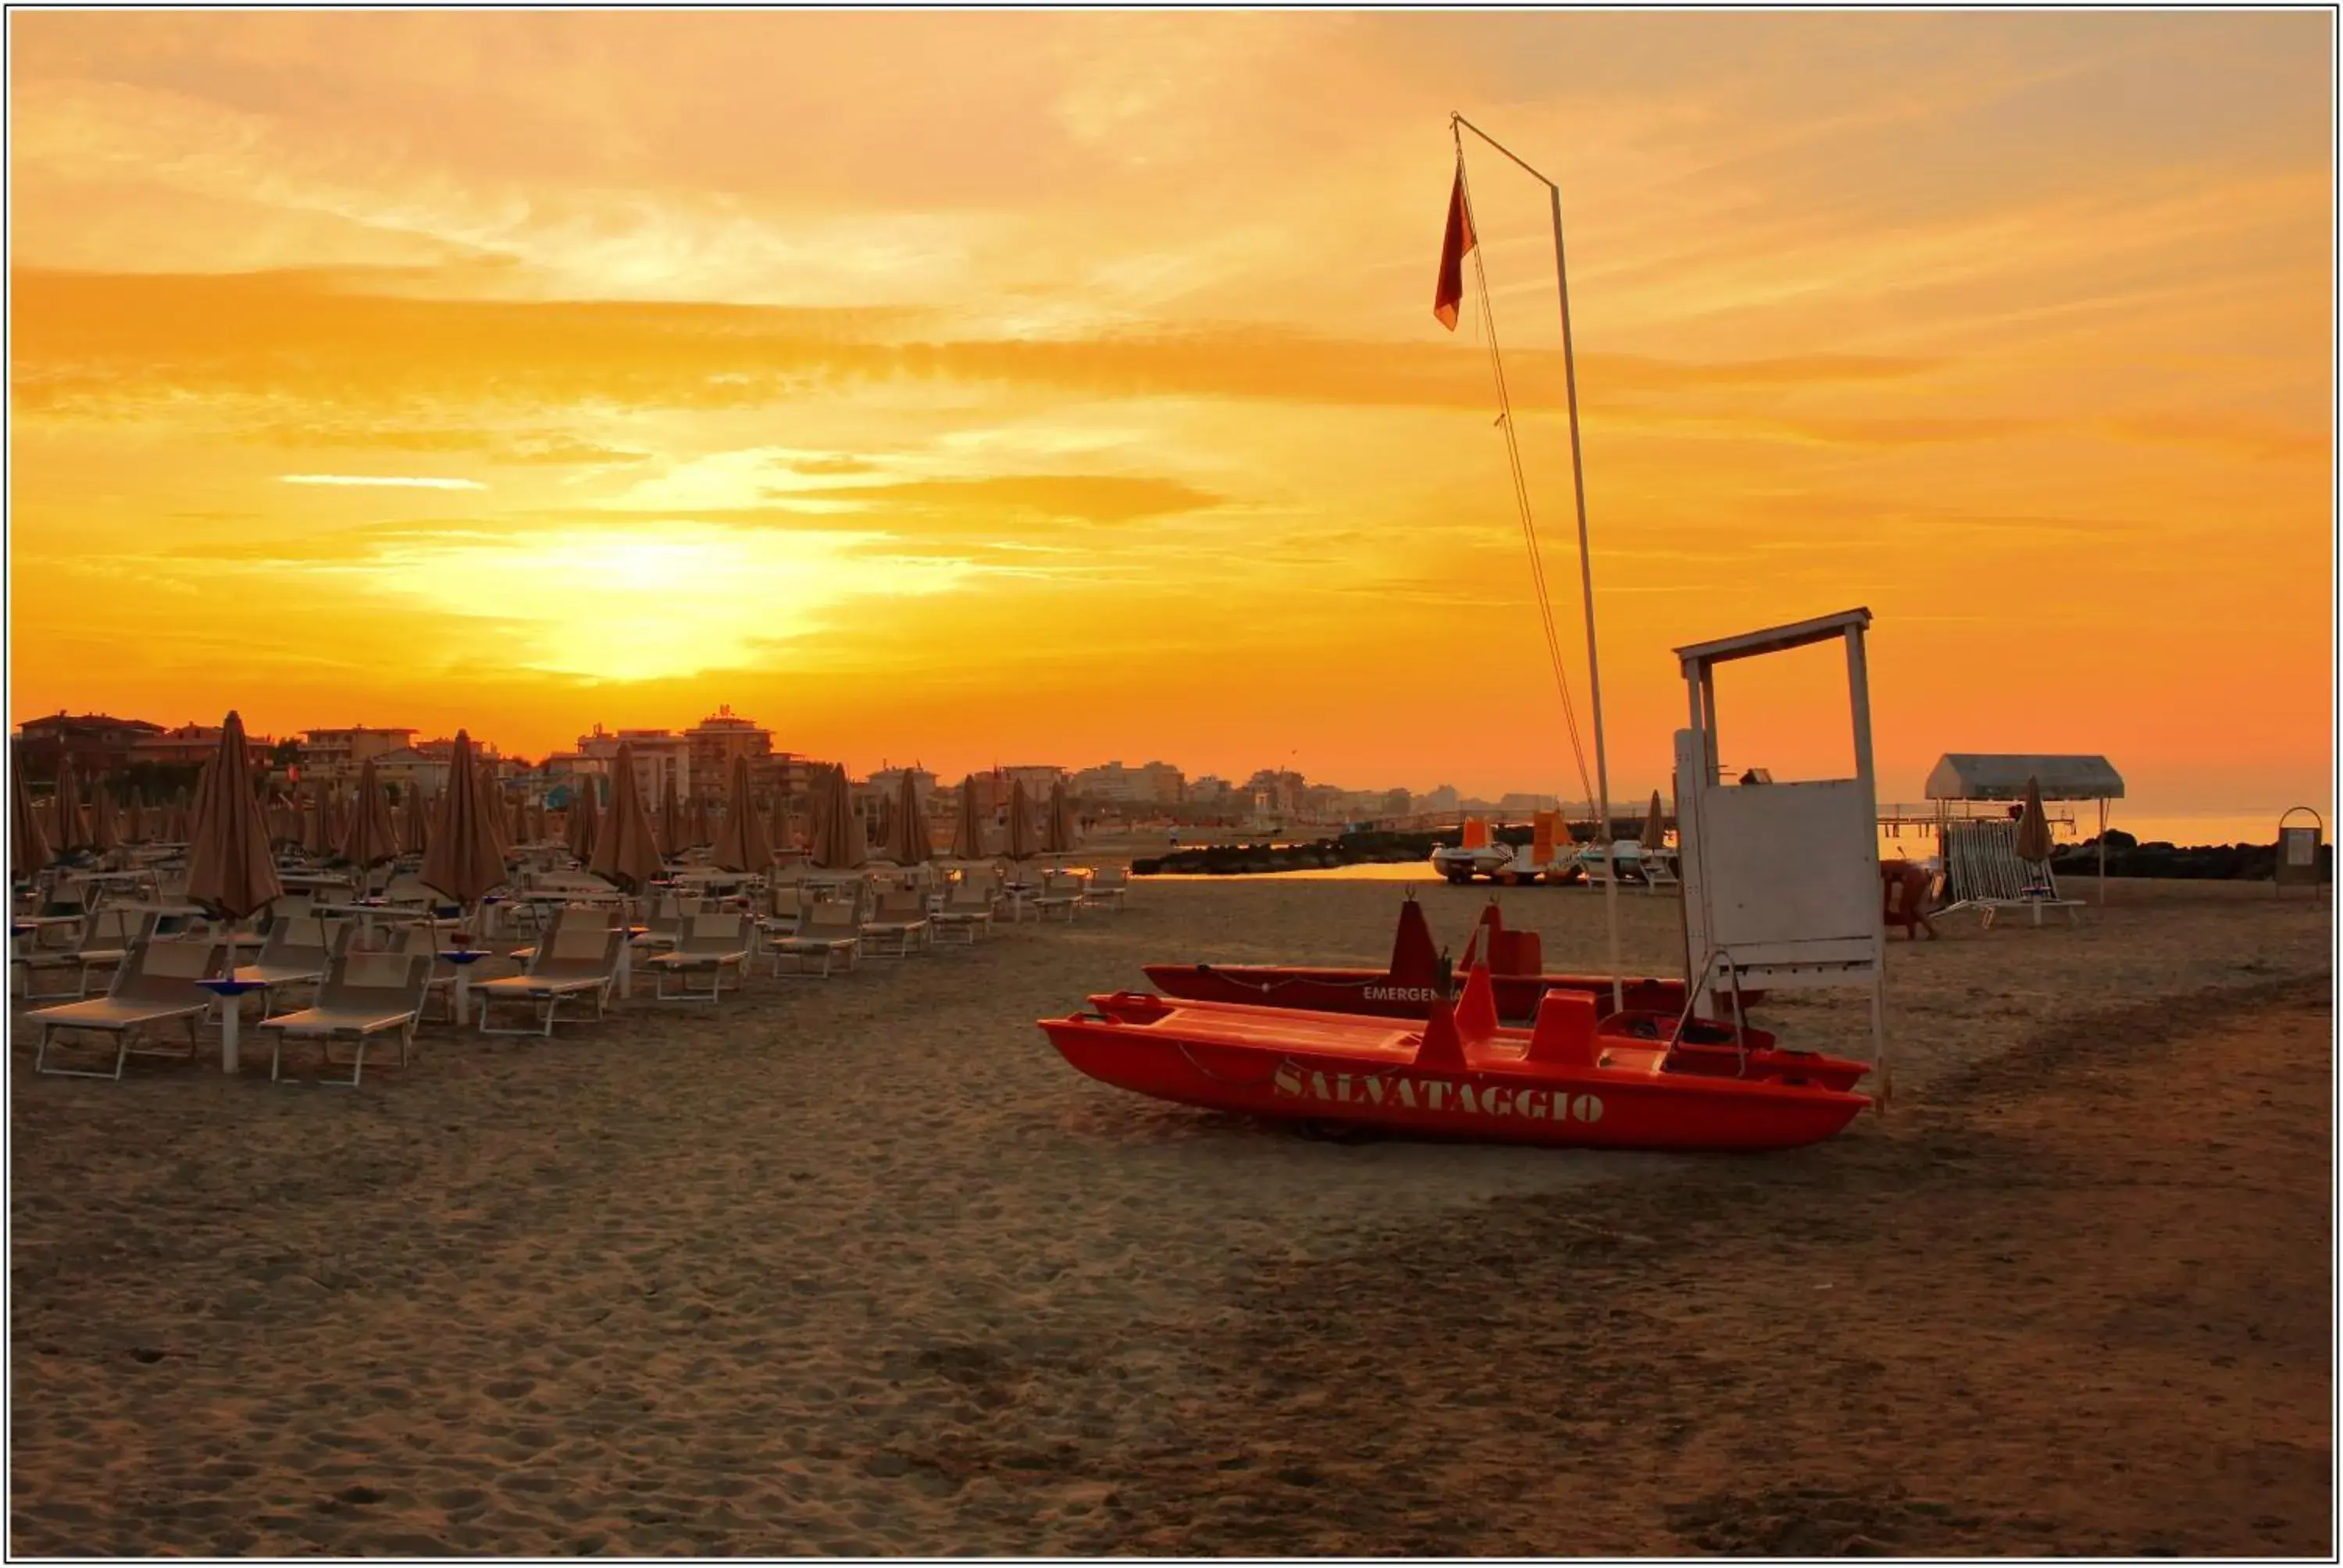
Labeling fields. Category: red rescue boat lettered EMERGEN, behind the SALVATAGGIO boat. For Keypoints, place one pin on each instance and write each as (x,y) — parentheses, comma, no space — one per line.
(1414,979)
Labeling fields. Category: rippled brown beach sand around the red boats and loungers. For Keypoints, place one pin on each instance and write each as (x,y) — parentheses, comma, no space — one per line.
(861,1267)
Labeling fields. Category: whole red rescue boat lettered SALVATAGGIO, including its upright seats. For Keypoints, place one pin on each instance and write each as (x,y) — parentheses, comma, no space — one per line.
(1573,1082)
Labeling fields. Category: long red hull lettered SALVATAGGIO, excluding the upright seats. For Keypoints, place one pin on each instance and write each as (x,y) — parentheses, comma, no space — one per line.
(1313,1077)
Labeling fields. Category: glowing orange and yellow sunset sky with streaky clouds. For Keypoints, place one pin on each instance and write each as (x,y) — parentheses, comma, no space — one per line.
(1056,388)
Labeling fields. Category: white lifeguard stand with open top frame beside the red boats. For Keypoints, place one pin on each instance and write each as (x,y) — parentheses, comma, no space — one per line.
(1782,880)
